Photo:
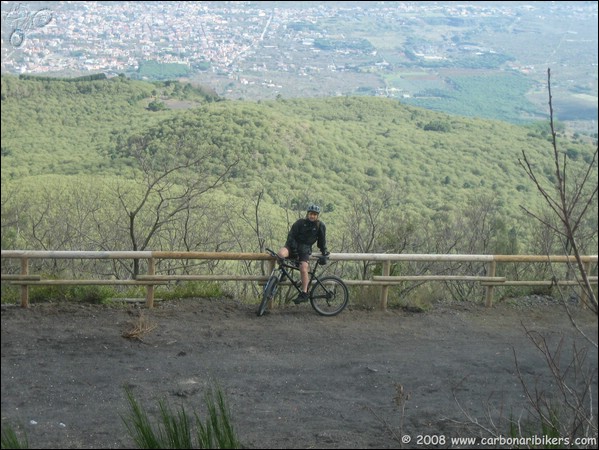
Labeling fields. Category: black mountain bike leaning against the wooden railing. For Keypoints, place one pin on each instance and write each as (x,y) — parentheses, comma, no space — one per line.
(328,295)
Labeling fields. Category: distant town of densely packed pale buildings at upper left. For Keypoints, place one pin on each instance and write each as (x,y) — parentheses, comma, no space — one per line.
(115,36)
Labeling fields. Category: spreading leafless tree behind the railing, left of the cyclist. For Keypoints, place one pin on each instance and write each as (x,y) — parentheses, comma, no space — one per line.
(174,173)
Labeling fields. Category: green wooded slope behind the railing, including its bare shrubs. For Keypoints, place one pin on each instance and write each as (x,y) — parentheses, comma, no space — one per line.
(390,177)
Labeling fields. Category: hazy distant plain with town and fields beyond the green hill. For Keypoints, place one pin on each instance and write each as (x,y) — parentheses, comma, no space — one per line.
(265,49)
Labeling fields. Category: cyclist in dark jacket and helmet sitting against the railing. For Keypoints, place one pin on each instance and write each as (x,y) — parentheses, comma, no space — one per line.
(302,236)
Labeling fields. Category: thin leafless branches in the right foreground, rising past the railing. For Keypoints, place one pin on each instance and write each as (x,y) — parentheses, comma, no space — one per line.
(565,408)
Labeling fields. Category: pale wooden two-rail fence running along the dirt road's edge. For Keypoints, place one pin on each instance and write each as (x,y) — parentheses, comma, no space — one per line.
(24,279)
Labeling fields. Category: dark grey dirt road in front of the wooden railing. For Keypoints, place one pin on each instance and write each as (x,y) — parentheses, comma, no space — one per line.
(292,379)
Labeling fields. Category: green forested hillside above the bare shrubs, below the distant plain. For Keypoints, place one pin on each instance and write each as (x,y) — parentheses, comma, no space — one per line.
(423,171)
